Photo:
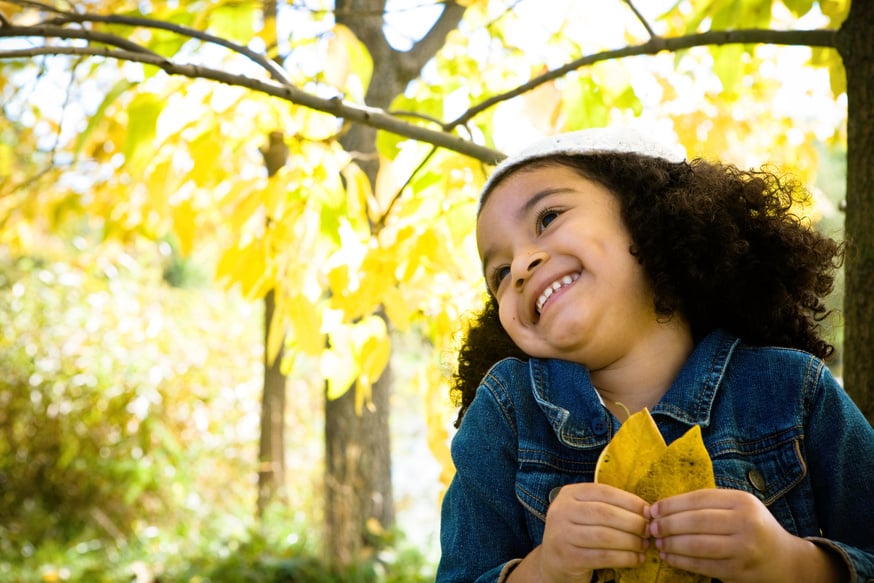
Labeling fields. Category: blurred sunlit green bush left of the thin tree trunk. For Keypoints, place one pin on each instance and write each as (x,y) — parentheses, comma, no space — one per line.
(123,411)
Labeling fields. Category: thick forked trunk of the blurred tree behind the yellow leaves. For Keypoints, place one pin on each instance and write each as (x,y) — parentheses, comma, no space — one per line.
(358,460)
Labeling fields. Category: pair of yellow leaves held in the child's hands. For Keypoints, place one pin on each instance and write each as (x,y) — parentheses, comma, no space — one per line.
(637,460)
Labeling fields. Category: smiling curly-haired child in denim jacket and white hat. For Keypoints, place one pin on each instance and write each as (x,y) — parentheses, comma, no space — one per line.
(621,276)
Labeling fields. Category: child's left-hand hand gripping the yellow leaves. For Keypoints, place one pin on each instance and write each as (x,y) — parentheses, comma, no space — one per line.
(589,527)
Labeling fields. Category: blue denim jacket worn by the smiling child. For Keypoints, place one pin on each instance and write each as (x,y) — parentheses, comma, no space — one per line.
(775,422)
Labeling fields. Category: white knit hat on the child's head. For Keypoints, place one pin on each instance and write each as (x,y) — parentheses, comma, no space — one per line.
(588,141)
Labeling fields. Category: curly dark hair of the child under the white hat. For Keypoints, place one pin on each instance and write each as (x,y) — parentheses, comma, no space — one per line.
(720,245)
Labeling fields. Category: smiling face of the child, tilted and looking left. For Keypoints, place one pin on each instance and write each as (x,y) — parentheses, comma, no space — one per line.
(556,255)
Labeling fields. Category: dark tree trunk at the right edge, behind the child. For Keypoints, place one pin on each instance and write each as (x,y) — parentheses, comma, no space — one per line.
(857,52)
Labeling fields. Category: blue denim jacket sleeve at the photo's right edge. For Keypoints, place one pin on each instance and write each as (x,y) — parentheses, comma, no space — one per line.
(840,455)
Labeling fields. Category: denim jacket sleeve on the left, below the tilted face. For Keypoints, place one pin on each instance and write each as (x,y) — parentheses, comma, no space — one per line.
(483,526)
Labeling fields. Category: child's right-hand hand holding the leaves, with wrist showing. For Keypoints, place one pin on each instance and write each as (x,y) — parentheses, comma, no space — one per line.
(731,535)
